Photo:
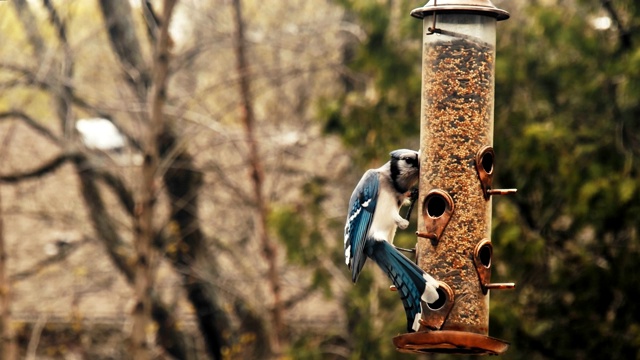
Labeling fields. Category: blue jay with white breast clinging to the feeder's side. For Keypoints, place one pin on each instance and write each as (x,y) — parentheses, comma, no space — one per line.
(371,226)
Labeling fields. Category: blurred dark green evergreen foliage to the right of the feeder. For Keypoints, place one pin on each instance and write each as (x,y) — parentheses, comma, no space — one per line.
(564,138)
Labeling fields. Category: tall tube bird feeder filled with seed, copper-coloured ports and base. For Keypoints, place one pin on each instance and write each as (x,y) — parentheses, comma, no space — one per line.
(456,173)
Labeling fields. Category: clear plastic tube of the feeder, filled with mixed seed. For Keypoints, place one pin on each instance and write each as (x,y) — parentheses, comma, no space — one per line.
(456,121)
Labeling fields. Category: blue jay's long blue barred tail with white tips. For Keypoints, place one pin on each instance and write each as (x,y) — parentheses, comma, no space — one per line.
(412,283)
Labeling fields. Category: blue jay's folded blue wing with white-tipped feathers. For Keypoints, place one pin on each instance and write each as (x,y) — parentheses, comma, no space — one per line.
(362,206)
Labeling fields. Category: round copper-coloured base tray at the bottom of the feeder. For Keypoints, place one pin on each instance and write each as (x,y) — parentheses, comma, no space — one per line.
(449,342)
